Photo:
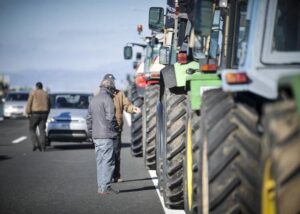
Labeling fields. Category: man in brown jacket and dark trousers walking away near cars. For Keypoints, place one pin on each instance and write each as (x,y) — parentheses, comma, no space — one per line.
(38,107)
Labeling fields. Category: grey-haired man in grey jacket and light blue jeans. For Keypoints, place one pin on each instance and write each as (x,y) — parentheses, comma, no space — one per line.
(102,126)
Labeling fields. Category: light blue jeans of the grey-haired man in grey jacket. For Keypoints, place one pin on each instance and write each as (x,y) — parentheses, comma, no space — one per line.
(105,161)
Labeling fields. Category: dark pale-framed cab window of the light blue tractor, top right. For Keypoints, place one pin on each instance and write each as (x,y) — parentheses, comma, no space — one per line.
(281,43)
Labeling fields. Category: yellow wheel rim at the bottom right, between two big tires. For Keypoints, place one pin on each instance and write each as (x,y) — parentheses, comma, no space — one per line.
(268,191)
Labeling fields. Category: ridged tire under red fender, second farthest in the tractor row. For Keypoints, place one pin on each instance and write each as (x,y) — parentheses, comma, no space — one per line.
(151,98)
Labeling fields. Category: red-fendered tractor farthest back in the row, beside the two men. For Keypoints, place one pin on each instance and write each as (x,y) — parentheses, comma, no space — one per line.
(145,93)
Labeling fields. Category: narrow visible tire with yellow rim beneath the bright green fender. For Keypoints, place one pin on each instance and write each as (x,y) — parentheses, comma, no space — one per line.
(191,172)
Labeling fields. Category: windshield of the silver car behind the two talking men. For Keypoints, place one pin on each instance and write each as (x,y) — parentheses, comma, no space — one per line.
(74,101)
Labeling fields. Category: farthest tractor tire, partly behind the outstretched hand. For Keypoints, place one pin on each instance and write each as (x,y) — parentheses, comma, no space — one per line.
(136,125)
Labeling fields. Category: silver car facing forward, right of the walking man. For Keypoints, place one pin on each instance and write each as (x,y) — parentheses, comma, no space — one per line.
(67,117)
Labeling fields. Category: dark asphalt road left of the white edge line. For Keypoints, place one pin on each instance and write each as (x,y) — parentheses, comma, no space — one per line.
(63,179)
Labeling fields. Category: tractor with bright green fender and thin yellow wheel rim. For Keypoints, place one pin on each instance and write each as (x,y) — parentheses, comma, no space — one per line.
(188,73)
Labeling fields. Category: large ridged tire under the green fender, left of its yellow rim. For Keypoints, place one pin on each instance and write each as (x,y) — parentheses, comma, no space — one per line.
(174,149)
